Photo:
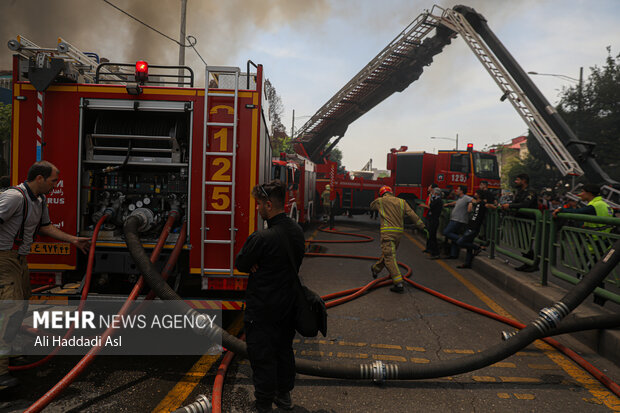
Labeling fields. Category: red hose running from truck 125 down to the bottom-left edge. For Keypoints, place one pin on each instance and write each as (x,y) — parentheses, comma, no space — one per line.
(90,356)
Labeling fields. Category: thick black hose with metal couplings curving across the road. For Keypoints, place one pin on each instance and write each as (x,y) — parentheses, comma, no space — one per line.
(548,320)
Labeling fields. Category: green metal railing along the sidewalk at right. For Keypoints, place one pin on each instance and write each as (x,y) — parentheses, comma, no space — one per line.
(560,247)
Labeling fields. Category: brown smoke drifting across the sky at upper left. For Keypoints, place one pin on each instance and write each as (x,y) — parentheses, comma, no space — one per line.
(221,27)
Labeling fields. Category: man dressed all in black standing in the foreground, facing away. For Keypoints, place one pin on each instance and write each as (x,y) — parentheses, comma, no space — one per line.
(270,298)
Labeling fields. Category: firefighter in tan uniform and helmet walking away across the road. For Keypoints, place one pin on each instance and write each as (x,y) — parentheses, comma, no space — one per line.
(392,213)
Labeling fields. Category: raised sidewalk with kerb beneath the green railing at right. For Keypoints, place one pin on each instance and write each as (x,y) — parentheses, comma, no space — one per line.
(526,288)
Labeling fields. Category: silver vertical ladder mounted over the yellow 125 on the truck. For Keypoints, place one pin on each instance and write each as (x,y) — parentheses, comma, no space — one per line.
(217,72)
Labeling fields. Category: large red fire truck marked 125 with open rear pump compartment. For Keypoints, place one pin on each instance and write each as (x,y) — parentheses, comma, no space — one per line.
(128,137)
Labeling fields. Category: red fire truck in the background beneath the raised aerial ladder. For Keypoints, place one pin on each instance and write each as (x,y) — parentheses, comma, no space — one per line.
(410,175)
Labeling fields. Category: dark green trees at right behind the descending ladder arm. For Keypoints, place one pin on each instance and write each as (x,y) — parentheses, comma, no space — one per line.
(593,113)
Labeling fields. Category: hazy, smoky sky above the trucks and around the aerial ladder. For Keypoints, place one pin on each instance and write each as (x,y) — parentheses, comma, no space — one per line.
(311,48)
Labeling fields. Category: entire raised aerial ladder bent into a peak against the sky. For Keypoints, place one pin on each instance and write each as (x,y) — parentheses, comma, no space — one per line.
(402,62)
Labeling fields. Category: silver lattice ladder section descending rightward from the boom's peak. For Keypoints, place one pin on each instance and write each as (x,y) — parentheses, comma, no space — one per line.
(558,153)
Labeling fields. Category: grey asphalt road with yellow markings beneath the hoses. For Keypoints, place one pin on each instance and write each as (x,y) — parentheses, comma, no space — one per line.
(411,328)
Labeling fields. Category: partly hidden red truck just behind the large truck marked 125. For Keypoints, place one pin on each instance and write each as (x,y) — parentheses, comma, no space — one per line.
(299,175)
